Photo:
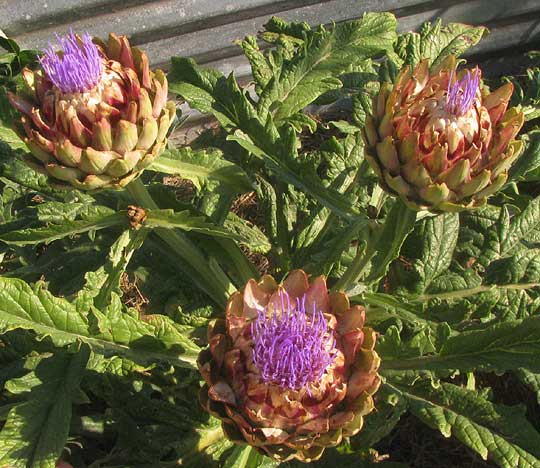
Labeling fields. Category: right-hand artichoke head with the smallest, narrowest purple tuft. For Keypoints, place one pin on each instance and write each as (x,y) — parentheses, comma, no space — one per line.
(440,140)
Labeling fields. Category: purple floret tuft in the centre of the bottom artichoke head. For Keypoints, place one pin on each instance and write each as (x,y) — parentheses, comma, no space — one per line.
(292,347)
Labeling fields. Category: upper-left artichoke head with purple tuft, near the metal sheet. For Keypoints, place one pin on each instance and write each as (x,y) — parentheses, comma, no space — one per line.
(94,115)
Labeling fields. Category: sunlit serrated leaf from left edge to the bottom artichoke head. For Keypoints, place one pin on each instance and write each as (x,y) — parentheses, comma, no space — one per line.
(38,310)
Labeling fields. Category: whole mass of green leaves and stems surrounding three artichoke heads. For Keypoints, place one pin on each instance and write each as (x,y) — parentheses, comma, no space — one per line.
(105,297)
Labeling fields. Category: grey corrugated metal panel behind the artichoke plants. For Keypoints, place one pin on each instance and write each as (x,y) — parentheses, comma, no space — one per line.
(207,29)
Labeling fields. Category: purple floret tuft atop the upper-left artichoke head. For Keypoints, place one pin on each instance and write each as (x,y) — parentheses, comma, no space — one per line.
(77,69)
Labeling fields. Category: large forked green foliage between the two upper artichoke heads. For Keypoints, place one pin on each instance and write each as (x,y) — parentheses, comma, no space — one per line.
(262,128)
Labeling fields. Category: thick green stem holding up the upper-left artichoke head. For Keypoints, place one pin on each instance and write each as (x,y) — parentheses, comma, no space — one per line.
(211,279)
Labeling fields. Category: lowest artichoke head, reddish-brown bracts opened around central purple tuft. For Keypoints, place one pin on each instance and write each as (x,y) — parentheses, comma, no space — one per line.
(291,369)
